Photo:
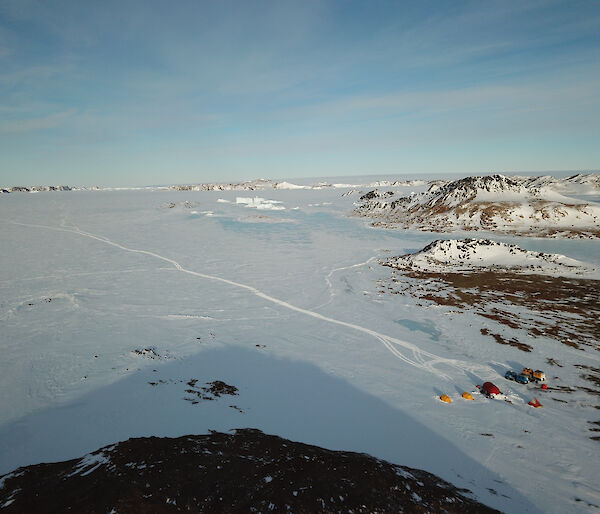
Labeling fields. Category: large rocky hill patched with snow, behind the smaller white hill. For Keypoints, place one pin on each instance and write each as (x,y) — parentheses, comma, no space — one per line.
(493,203)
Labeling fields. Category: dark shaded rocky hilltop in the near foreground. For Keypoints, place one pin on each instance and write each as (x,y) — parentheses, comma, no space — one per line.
(243,472)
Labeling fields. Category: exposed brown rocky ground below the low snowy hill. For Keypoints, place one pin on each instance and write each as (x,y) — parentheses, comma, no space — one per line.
(564,309)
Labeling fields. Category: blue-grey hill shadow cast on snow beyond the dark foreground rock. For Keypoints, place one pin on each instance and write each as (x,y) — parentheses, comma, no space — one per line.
(292,399)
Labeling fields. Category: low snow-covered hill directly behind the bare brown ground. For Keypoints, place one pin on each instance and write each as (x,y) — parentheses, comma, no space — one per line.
(452,256)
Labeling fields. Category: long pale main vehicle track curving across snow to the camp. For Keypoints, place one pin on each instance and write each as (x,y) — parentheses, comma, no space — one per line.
(421,359)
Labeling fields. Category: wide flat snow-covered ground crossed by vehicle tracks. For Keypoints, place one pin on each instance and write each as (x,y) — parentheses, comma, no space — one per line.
(111,304)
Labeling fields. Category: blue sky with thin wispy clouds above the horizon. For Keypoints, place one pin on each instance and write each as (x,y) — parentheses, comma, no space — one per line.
(148,92)
